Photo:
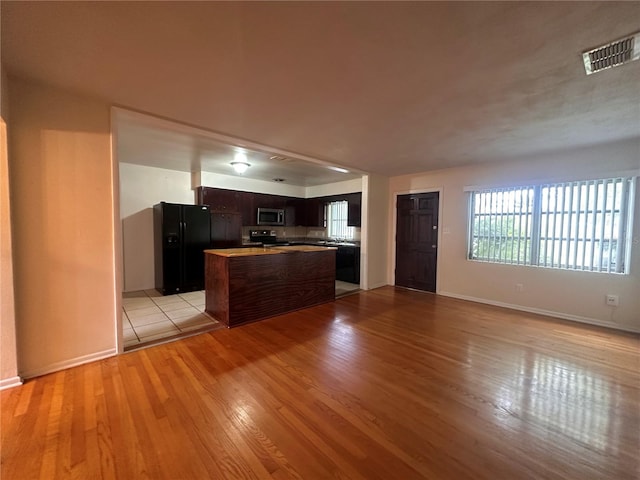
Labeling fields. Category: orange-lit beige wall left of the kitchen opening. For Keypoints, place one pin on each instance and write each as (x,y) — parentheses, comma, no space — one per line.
(63,226)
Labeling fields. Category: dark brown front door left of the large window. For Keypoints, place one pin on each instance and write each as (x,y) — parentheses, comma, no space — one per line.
(417,241)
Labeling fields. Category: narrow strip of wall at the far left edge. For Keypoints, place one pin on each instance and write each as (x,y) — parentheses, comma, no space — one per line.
(8,354)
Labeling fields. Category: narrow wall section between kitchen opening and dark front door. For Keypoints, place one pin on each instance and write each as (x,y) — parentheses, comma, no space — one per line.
(375,201)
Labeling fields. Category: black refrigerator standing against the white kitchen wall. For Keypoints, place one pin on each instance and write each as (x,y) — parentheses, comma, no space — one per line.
(181,234)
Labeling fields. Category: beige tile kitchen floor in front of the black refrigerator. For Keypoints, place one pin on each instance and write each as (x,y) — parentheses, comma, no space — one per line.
(149,316)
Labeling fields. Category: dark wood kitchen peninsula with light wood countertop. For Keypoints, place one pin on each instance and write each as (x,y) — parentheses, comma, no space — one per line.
(244,285)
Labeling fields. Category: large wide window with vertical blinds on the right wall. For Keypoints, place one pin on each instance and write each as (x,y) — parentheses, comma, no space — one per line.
(582,225)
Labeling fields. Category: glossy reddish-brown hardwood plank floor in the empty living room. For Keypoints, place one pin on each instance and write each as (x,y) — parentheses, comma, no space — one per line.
(385,384)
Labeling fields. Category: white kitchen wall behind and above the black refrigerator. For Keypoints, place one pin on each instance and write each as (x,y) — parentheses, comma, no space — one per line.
(140,189)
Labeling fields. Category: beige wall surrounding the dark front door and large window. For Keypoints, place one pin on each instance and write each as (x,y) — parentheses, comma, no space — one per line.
(568,294)
